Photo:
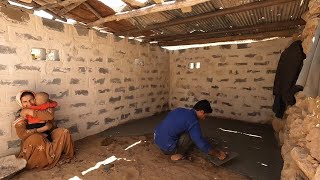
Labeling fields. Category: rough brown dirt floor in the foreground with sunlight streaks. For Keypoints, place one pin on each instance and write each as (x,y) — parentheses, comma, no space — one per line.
(142,161)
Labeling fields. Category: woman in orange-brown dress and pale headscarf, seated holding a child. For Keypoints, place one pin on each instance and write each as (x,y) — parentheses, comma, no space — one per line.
(35,147)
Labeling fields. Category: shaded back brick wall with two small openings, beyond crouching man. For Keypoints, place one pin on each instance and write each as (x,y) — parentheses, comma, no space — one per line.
(236,79)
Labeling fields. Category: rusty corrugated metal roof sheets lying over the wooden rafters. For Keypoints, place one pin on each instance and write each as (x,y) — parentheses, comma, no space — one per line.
(279,12)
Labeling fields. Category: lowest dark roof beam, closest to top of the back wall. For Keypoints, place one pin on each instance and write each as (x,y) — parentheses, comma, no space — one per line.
(257,36)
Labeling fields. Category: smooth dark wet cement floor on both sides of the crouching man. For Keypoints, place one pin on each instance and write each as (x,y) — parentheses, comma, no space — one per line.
(259,154)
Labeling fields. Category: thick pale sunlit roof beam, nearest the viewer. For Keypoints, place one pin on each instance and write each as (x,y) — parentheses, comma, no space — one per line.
(148,10)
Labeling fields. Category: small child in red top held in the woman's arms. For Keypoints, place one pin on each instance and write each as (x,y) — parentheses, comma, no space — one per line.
(42,103)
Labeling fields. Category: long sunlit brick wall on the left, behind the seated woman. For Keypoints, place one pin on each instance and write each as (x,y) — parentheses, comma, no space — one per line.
(98,82)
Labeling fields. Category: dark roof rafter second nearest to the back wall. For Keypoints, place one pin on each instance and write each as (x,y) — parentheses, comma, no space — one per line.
(224,32)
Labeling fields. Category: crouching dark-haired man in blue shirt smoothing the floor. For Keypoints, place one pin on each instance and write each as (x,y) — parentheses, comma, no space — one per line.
(181,128)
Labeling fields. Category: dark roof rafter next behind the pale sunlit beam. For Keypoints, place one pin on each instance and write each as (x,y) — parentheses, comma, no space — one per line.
(218,13)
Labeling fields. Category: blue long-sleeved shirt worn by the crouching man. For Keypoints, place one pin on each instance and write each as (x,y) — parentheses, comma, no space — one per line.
(177,122)
